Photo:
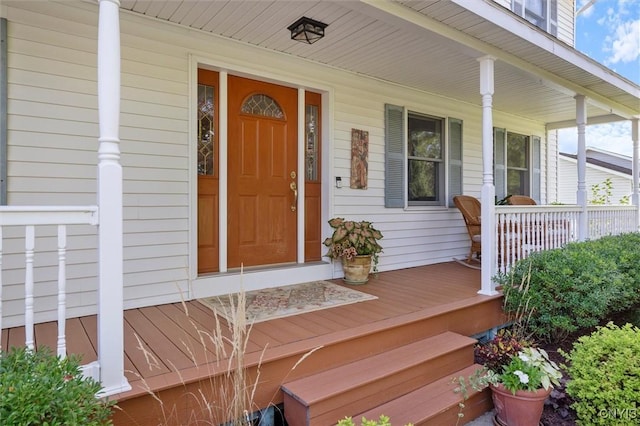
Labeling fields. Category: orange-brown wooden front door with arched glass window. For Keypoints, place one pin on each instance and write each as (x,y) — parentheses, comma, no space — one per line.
(262,173)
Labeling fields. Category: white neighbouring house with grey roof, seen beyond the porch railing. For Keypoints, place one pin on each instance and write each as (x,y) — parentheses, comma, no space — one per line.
(601,165)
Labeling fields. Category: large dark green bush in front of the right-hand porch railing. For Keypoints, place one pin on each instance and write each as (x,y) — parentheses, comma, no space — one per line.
(576,287)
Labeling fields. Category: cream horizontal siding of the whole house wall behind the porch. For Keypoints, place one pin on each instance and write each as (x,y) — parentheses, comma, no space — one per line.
(53,135)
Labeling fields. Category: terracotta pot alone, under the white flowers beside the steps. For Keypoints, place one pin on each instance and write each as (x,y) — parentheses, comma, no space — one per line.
(522,409)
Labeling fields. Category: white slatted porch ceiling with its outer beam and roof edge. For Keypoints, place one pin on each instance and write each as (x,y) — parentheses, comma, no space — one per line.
(427,45)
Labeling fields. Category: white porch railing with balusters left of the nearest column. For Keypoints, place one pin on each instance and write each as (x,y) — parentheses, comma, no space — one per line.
(28,219)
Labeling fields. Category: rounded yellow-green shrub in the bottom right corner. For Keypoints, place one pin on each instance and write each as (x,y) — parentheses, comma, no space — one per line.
(605,376)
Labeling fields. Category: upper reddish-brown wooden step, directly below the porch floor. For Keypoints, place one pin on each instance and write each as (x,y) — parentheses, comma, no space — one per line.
(346,390)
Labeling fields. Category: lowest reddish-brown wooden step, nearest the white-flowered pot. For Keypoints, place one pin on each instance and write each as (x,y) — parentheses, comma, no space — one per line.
(435,404)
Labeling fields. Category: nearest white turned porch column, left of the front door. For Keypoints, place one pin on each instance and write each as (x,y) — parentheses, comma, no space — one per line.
(110,280)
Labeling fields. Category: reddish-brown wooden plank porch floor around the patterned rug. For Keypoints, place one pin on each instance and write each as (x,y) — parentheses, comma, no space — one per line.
(170,345)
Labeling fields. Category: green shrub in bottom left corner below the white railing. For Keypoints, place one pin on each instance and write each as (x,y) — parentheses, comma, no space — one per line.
(38,388)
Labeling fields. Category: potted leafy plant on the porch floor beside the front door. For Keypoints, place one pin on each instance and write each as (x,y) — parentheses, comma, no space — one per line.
(356,244)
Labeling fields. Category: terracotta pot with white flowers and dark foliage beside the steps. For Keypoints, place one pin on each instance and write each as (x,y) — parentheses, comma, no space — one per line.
(521,378)
